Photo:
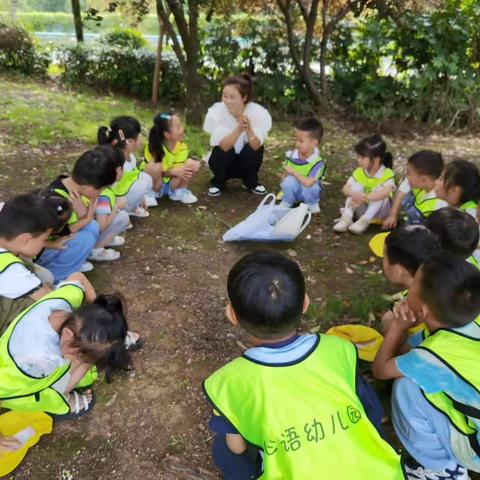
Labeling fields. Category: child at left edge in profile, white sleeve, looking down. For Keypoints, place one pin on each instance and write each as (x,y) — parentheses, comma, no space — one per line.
(26,223)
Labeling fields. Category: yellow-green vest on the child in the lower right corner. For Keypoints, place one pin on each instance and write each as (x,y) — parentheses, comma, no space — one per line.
(461,354)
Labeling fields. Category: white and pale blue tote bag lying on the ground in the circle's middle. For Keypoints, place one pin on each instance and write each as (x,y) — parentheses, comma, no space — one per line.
(271,223)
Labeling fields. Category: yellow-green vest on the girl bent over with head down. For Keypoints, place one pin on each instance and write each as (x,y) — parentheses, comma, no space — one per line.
(18,390)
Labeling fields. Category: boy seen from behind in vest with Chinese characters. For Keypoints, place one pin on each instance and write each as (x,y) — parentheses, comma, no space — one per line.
(297,398)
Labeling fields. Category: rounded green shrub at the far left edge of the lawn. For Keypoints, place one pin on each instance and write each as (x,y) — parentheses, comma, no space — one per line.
(18,52)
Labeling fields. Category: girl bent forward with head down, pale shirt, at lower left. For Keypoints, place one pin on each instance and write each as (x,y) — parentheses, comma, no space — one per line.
(48,351)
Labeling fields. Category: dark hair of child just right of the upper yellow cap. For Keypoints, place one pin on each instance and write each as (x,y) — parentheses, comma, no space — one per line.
(410,245)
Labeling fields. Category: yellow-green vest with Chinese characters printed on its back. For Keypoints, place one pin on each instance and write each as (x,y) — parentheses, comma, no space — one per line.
(305,416)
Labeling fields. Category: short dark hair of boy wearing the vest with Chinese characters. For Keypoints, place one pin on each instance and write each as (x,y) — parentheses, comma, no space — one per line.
(267,293)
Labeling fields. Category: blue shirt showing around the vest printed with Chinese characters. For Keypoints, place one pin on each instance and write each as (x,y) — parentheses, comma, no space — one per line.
(292,350)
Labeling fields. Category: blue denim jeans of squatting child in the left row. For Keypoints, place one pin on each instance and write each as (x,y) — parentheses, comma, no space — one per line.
(62,263)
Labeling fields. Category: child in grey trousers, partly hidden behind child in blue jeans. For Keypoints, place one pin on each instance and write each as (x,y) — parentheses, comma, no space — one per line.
(112,221)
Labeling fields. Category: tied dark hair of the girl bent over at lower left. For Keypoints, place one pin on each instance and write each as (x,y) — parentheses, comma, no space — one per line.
(99,330)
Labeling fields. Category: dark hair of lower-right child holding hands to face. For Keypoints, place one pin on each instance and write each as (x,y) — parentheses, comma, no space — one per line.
(450,287)
